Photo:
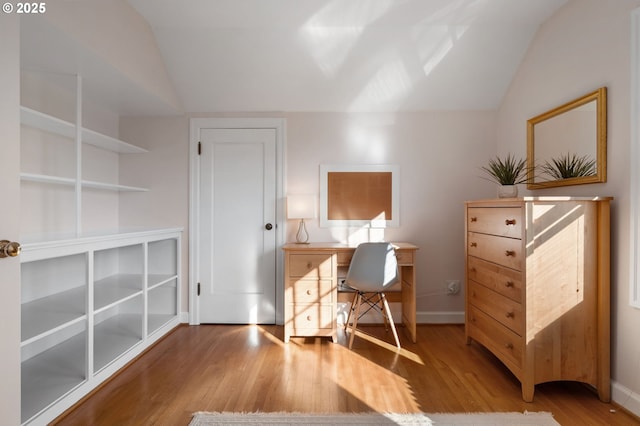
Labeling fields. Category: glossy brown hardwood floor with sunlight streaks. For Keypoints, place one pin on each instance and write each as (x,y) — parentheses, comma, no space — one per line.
(249,368)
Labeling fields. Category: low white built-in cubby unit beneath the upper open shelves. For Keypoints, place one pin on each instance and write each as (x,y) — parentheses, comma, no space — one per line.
(89,306)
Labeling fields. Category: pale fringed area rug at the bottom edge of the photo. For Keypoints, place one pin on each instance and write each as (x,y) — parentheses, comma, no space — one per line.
(479,419)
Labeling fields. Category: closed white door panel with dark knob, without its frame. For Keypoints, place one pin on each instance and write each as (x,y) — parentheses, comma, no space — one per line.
(237,238)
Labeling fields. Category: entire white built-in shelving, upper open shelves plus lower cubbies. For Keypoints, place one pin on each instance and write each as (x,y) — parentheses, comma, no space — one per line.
(91,301)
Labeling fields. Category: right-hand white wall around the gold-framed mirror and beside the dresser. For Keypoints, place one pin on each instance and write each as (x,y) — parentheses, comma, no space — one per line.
(584,46)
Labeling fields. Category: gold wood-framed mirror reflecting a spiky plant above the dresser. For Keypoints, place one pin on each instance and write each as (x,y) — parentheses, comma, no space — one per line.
(568,144)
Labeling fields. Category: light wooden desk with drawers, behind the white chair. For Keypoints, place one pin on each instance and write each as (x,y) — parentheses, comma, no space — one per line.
(311,287)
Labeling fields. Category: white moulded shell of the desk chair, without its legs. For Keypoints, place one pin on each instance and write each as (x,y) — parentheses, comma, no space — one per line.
(374,268)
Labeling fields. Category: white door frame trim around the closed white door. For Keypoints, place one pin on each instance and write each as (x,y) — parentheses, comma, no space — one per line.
(195,126)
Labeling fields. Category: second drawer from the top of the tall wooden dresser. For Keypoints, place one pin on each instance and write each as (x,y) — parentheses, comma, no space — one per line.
(503,251)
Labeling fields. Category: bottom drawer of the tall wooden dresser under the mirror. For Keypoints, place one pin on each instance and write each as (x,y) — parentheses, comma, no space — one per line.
(504,343)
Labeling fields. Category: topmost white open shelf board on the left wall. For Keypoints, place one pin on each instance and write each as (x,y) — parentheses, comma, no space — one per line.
(39,120)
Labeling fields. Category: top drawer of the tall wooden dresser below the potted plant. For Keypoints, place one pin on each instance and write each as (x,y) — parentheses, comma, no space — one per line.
(502,221)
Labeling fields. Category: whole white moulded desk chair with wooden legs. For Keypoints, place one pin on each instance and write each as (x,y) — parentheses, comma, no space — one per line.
(373,269)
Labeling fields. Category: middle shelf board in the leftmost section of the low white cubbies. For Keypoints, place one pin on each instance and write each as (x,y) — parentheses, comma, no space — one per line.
(47,315)
